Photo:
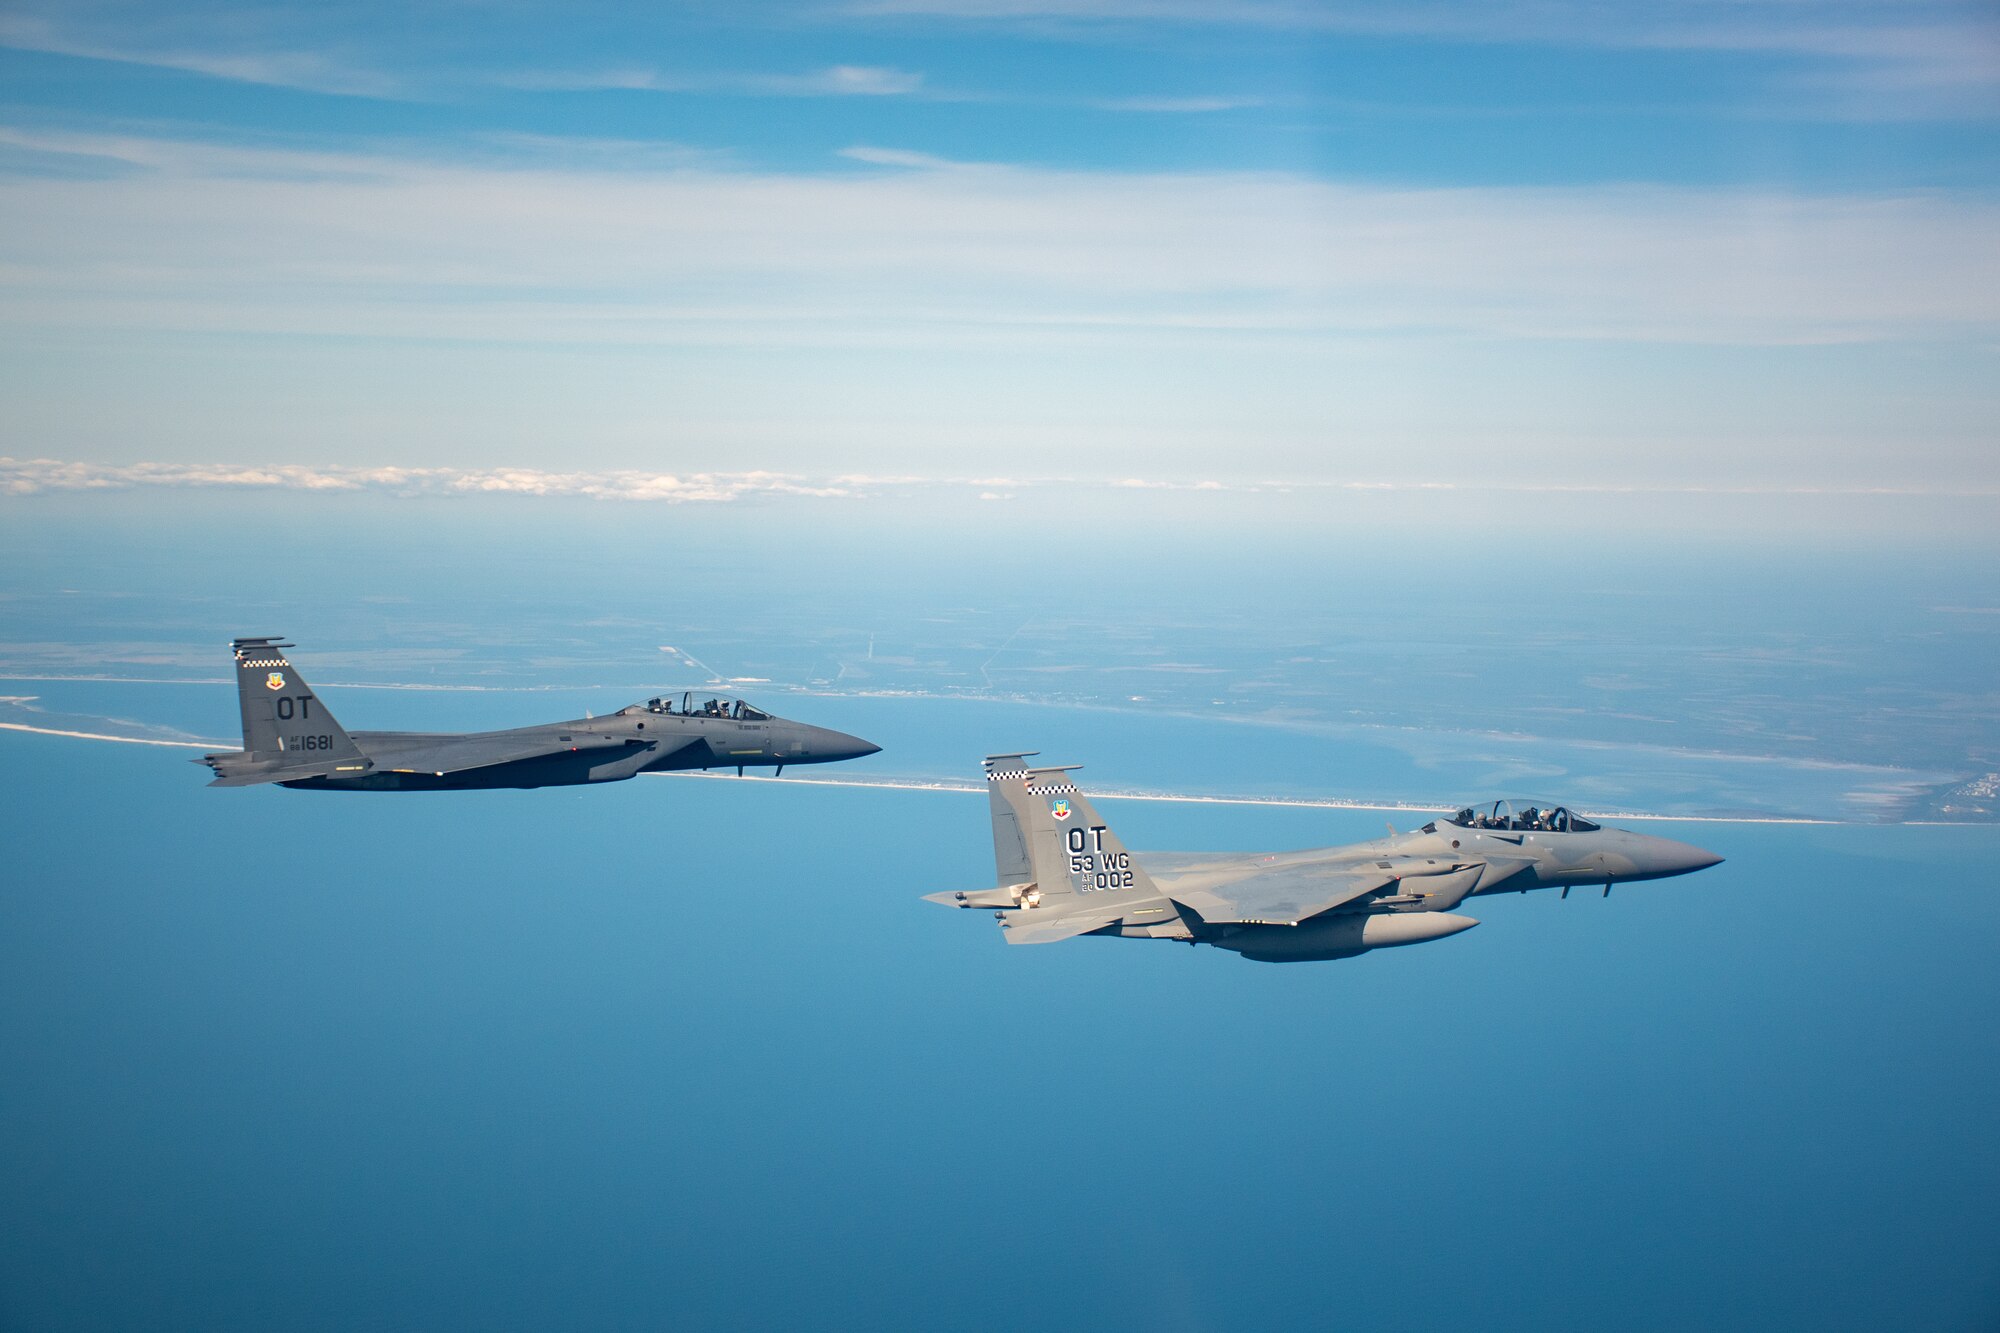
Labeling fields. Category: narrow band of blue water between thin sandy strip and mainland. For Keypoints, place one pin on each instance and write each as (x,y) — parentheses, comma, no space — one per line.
(1205,754)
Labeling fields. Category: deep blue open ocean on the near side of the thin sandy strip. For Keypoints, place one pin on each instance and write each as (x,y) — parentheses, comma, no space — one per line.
(695,1054)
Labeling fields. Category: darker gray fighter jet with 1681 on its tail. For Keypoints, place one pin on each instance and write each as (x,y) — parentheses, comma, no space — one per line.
(293,740)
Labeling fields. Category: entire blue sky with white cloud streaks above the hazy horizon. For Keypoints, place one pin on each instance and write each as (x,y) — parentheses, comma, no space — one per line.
(1671,245)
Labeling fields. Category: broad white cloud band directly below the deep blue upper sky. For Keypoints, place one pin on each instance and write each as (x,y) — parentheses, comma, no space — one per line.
(223,237)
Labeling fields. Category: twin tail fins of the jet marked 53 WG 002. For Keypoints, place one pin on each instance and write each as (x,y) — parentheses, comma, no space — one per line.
(1049,834)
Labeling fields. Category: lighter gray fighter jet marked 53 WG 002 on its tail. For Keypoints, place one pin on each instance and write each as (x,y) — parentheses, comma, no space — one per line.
(1065,874)
